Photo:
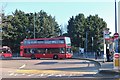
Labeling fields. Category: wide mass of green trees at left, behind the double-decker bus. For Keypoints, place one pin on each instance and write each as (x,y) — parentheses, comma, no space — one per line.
(21,25)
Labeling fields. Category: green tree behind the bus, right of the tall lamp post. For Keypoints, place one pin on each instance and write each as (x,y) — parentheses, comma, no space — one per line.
(45,25)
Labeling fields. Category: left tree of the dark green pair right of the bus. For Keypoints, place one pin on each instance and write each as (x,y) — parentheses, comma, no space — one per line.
(75,29)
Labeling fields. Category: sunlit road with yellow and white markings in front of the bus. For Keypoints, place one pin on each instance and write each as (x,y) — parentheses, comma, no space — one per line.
(47,68)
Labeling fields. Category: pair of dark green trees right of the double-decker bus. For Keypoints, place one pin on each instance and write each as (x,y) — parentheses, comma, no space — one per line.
(78,26)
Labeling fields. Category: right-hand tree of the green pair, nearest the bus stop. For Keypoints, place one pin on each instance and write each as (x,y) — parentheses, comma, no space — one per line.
(96,26)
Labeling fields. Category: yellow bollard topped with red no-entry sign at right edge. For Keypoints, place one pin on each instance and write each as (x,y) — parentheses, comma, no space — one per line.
(117,62)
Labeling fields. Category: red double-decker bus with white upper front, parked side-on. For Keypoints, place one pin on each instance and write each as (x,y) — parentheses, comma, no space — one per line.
(56,48)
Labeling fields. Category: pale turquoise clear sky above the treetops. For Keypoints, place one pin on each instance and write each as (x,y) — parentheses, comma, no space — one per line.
(62,10)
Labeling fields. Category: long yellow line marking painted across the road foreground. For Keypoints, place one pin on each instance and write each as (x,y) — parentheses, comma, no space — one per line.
(52,72)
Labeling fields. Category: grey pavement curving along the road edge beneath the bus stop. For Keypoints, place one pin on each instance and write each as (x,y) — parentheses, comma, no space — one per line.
(105,68)
